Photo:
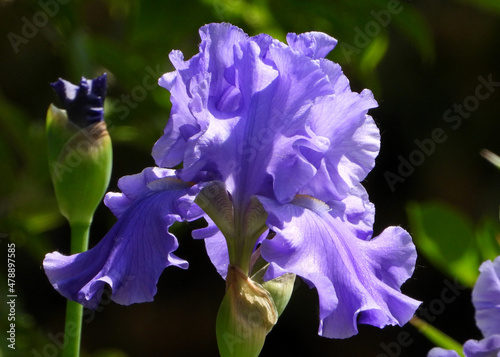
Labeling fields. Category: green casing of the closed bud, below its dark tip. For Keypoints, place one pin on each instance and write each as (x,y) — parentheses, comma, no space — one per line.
(80,161)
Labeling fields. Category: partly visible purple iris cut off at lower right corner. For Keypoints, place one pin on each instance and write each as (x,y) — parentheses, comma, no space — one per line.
(486,300)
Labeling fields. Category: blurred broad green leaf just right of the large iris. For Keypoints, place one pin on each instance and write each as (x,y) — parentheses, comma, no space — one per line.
(447,238)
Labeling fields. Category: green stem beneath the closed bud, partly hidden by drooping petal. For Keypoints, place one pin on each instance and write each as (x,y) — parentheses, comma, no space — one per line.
(74,310)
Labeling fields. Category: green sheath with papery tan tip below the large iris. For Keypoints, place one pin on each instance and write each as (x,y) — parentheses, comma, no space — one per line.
(245,317)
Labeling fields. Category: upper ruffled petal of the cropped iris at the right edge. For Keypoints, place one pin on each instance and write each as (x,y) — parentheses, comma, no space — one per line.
(486,298)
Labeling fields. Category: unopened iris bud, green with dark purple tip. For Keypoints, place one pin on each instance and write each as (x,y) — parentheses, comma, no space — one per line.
(79,148)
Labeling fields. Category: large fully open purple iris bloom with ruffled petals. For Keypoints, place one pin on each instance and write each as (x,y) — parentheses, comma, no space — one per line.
(270,121)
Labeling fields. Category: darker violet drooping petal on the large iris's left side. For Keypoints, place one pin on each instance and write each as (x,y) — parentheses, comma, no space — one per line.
(131,257)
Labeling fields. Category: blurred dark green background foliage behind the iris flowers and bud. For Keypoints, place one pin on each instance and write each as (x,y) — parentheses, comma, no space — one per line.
(424,60)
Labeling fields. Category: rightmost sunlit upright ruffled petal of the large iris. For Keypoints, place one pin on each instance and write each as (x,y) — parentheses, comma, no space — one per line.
(353,135)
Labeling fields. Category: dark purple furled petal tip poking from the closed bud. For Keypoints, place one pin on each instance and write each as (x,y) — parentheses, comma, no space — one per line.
(83,103)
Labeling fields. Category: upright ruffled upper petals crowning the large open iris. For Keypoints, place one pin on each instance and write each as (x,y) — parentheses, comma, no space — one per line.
(265,118)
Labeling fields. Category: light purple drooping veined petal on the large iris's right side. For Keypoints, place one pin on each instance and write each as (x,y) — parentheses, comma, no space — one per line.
(357,280)
